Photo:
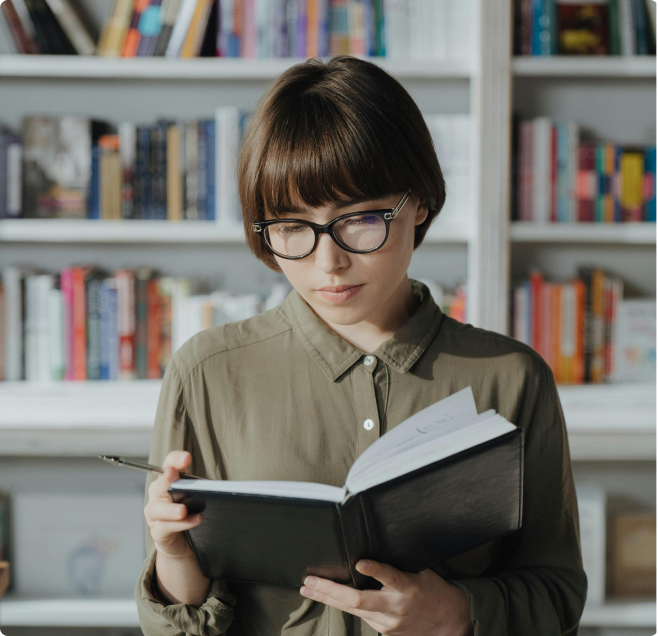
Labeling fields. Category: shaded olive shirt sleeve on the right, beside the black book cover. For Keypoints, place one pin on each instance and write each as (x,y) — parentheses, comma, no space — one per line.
(539,587)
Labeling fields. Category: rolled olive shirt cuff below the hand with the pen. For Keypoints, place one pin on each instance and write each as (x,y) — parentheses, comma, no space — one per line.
(212,618)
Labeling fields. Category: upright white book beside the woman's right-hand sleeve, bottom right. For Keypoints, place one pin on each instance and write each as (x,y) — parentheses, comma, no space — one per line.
(592,518)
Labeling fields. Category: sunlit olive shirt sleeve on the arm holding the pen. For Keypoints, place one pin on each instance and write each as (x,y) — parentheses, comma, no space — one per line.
(174,431)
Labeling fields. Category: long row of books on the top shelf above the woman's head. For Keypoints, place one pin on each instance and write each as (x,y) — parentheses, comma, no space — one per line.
(438,30)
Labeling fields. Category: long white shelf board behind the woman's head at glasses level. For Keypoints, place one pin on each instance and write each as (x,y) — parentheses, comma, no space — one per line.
(209,232)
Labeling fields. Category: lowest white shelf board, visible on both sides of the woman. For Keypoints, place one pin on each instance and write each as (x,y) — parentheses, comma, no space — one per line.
(123,613)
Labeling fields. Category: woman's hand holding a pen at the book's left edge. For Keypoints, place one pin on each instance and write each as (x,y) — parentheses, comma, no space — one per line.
(166,519)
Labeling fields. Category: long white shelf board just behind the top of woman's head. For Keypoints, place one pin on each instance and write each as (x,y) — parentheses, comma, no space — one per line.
(159,68)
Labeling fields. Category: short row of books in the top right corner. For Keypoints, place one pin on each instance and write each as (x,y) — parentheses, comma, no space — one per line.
(597,27)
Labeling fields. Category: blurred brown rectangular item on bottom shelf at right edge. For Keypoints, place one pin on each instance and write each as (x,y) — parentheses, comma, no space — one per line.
(634,555)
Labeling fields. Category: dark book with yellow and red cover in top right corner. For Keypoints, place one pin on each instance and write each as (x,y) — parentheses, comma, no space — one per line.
(583,28)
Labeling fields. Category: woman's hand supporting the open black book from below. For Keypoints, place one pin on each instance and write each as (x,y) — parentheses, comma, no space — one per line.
(408,605)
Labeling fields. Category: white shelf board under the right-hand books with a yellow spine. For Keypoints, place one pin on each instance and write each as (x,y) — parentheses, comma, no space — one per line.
(618,233)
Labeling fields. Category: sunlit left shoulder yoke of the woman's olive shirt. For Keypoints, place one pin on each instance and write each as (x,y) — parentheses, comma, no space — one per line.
(257,331)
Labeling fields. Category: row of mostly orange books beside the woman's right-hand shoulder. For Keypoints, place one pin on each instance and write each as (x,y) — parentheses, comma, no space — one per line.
(584,329)
